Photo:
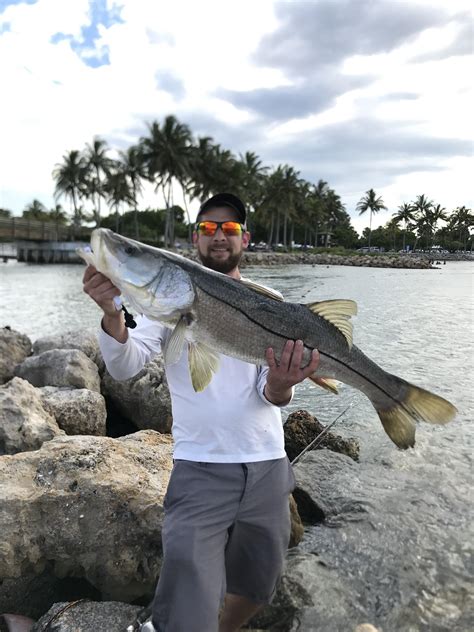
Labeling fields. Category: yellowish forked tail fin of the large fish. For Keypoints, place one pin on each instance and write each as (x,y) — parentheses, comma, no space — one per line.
(399,421)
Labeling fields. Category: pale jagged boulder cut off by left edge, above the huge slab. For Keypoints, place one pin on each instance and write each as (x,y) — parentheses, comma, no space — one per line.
(24,422)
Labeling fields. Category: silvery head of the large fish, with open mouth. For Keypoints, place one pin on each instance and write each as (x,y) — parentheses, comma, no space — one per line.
(150,278)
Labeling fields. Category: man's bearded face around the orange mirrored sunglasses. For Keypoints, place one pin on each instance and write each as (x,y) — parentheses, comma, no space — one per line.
(221,252)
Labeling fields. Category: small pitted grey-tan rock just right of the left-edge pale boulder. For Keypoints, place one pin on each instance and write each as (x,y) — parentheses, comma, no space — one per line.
(77,411)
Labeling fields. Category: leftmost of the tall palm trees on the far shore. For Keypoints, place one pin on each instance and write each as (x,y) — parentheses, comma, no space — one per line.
(70,181)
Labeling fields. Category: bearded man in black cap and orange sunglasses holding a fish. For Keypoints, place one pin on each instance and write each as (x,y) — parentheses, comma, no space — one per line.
(227,524)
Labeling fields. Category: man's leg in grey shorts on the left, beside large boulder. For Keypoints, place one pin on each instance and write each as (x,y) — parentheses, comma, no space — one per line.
(201,503)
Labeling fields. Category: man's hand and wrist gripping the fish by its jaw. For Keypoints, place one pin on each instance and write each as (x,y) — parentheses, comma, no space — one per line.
(102,291)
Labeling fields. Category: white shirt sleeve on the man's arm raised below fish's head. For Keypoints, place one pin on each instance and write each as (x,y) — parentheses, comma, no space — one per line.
(124,360)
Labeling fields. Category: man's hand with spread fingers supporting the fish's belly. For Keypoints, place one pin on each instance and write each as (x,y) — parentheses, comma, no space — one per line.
(284,375)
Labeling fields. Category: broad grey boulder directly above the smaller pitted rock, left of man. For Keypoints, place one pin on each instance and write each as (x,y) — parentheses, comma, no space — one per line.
(60,367)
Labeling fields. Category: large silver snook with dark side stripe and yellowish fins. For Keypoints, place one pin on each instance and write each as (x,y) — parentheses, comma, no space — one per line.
(213,313)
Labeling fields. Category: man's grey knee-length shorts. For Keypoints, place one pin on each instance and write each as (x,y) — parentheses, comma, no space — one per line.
(226,529)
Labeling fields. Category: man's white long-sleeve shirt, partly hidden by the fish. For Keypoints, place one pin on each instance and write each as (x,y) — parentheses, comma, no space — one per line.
(231,421)
